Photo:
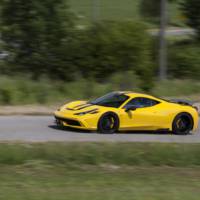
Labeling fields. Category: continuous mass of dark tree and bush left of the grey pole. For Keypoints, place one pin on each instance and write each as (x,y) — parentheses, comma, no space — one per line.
(43,40)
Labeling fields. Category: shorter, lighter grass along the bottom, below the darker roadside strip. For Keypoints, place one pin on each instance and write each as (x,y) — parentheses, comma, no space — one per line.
(50,183)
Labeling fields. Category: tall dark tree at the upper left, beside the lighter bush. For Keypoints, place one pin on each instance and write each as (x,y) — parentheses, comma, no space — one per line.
(34,33)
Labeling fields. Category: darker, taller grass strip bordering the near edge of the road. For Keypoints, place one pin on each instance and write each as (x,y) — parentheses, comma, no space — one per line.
(73,155)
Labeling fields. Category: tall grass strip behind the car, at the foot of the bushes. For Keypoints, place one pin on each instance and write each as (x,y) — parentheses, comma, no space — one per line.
(23,91)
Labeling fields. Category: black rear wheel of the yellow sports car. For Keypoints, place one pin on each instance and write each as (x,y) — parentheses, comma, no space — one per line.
(182,124)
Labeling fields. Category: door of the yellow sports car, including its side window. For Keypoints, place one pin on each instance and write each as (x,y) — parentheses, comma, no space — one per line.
(145,117)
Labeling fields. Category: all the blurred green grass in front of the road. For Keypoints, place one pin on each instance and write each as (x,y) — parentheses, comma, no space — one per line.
(98,171)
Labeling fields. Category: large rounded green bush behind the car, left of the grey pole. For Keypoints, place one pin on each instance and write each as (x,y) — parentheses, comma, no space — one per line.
(109,47)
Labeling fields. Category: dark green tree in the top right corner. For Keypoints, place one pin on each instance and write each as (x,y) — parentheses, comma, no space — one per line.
(191,10)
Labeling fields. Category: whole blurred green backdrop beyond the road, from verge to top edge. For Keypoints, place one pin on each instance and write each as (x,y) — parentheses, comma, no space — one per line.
(53,50)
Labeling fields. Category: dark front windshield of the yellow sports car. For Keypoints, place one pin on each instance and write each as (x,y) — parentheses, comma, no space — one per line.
(114,100)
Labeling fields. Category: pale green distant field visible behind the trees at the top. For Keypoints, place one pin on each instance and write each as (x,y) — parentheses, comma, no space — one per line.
(118,10)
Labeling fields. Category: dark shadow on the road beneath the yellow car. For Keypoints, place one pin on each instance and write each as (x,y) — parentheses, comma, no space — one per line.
(120,132)
